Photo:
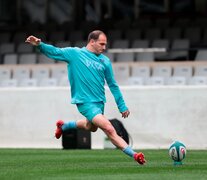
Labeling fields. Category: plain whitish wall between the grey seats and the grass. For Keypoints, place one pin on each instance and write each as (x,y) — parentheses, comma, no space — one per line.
(159,115)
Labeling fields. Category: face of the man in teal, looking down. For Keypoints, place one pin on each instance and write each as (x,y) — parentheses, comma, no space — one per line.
(99,45)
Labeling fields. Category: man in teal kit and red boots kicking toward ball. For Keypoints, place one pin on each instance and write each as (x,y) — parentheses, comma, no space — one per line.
(88,69)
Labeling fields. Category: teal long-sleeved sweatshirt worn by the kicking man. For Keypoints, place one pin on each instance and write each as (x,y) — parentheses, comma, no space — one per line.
(87,73)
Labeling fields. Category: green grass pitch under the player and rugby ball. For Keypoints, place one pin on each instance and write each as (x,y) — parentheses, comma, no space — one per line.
(98,164)
